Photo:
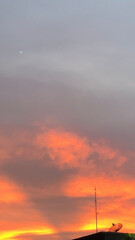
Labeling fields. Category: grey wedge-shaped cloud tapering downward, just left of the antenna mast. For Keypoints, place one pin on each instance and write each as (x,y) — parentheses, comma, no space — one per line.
(62,208)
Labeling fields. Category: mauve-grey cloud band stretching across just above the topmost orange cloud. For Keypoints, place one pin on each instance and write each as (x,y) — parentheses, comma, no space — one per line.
(107,114)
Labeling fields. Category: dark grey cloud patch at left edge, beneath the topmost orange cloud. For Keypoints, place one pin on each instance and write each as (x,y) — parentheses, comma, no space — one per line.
(34,174)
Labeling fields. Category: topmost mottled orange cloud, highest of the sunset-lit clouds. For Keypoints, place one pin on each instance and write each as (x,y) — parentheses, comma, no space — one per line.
(65,149)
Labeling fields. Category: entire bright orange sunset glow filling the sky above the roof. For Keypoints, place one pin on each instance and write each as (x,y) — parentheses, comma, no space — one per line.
(115,191)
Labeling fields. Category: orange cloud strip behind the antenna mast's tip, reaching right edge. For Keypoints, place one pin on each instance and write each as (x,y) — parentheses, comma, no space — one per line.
(107,187)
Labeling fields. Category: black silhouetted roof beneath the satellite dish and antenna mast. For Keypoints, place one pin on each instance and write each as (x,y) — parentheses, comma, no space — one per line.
(108,236)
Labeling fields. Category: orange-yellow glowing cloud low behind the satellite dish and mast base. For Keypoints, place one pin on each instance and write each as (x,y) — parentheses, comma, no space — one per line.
(109,211)
